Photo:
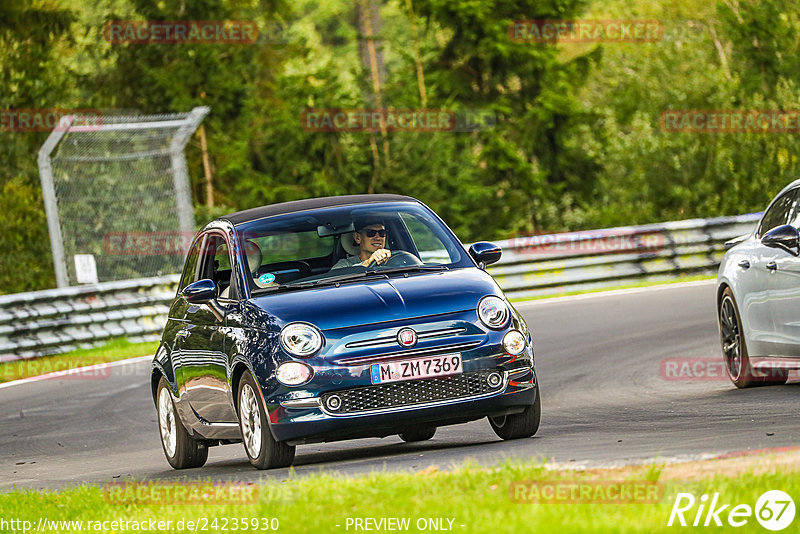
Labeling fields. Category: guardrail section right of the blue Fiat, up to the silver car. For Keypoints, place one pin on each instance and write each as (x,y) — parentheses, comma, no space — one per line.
(558,263)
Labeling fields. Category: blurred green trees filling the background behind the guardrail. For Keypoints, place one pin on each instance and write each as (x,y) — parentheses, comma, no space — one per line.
(576,141)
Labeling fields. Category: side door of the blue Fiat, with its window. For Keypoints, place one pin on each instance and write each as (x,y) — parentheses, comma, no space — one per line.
(204,363)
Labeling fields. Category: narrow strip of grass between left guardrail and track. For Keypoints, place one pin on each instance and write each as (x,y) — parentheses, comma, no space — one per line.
(117,349)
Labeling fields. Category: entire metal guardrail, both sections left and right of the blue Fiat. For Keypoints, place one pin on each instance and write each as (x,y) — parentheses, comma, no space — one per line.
(58,320)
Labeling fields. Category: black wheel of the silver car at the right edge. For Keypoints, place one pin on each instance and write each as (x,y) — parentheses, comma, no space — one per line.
(734,348)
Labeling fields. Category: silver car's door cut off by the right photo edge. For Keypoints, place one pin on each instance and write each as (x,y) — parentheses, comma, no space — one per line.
(784,292)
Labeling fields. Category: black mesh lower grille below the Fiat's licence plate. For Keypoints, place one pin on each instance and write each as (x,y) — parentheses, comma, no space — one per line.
(411,393)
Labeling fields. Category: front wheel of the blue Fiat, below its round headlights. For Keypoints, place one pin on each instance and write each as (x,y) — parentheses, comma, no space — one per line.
(261,448)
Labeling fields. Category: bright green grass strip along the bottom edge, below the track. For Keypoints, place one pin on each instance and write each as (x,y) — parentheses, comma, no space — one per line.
(477,498)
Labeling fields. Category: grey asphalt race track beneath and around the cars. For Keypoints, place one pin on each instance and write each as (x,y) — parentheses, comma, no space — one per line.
(605,399)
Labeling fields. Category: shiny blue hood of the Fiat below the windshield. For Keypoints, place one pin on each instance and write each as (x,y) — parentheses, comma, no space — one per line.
(381,299)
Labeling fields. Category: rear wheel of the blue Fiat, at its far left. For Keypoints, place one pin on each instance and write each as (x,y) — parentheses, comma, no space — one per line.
(180,449)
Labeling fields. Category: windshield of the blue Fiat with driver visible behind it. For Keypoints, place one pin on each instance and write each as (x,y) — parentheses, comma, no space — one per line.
(342,243)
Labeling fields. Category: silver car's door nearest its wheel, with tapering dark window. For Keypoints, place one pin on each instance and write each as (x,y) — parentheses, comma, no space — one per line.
(761,309)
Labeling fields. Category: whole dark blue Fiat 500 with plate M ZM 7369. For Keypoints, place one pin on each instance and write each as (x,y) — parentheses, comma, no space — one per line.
(337,318)
